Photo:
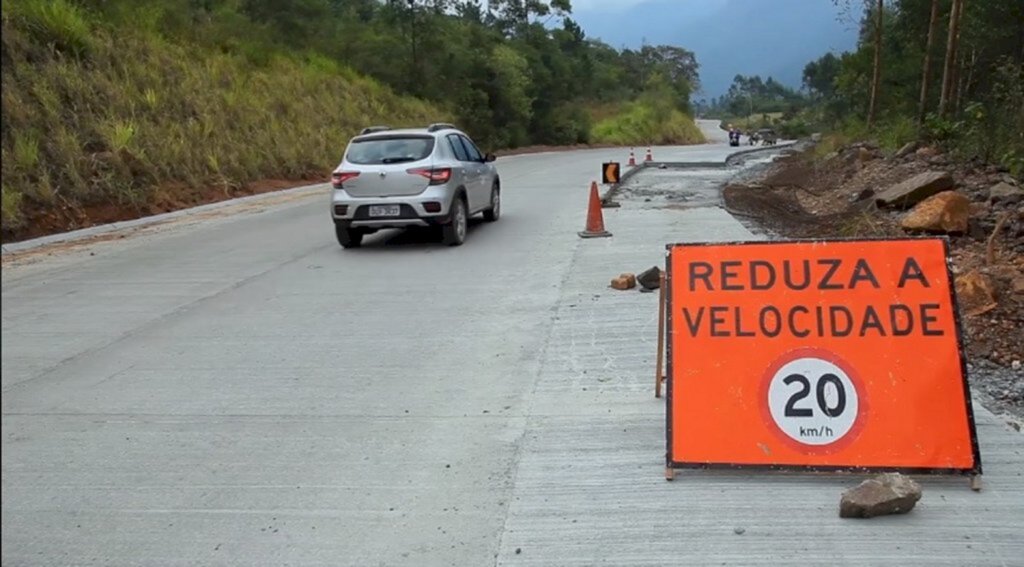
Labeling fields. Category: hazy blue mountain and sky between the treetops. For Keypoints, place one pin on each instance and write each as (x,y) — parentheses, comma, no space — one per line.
(747,37)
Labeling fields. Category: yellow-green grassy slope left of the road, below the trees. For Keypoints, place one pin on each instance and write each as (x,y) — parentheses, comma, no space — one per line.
(96,115)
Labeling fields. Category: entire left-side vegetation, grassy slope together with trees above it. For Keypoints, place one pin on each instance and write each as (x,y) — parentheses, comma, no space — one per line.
(136,102)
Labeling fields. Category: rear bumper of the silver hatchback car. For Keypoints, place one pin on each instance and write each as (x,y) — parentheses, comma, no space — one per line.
(355,212)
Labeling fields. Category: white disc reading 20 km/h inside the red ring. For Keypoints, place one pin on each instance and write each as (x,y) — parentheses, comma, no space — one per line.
(814,402)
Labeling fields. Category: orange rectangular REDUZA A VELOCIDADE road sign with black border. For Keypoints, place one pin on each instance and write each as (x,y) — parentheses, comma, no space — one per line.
(818,356)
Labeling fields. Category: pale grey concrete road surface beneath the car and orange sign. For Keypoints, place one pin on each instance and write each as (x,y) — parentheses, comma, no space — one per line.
(236,389)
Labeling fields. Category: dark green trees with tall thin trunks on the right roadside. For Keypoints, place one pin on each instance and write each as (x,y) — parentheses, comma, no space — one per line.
(973,103)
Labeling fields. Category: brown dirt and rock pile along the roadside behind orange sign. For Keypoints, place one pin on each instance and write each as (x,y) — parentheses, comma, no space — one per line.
(807,197)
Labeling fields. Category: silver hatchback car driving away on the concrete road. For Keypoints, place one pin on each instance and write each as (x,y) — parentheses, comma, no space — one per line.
(433,177)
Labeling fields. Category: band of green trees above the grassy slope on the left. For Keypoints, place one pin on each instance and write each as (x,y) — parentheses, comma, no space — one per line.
(514,72)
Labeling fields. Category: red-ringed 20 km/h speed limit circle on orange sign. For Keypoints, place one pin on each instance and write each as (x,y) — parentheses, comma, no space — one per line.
(814,400)
